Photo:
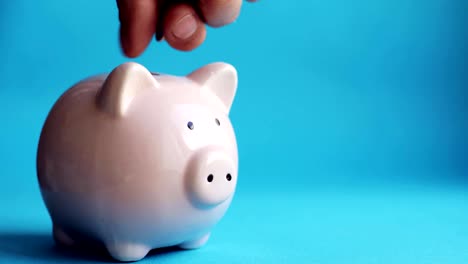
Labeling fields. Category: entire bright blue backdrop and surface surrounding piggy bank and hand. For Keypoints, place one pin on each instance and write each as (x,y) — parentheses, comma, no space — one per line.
(351,117)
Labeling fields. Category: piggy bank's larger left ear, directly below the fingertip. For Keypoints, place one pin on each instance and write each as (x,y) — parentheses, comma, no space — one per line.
(122,85)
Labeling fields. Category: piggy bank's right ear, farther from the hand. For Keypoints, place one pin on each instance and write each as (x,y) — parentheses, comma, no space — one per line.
(220,78)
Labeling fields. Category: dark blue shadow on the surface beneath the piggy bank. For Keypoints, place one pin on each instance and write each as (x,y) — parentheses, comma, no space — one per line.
(40,247)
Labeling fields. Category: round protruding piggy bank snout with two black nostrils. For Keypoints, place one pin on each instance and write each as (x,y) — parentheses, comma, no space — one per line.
(211,177)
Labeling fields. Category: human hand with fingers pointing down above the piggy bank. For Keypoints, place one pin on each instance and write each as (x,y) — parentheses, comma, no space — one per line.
(180,22)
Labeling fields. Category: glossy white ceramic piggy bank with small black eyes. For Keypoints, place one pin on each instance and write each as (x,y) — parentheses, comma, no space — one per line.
(137,160)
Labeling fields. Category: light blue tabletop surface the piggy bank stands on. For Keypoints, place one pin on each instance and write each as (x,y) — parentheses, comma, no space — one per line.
(373,224)
